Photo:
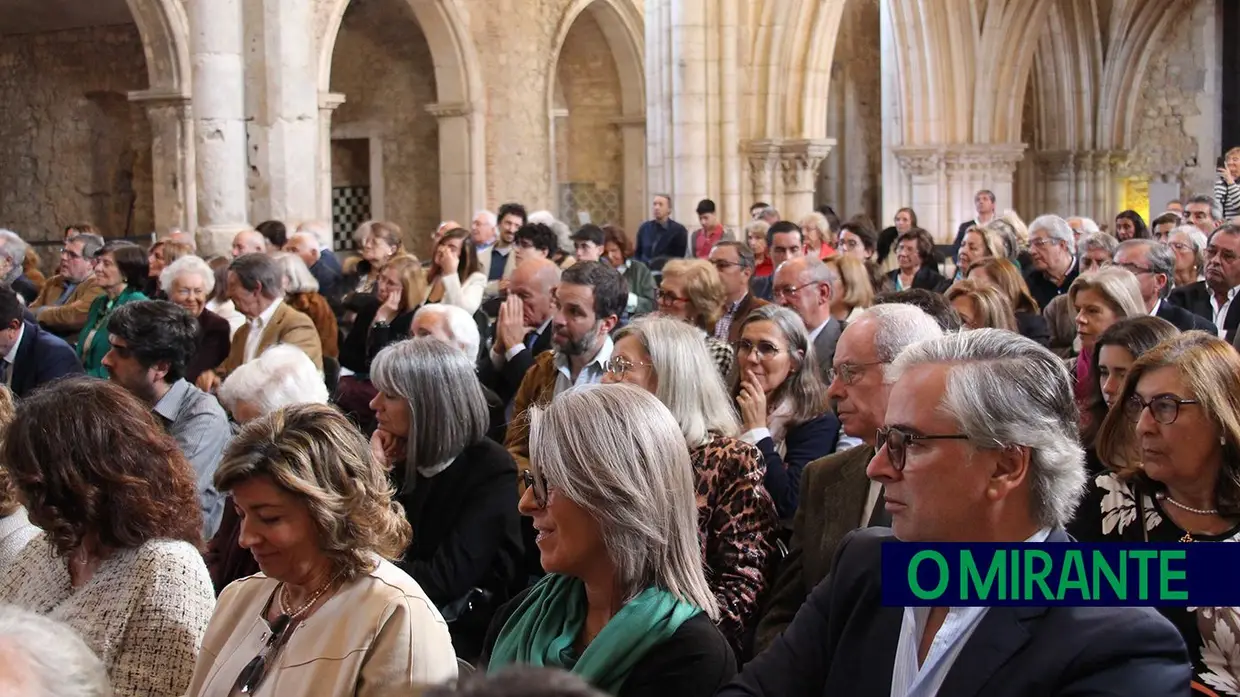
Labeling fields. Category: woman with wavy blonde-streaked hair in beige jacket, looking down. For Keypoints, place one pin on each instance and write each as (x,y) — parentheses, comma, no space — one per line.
(329,616)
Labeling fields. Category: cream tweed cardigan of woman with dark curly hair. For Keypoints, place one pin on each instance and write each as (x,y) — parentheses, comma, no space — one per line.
(143,613)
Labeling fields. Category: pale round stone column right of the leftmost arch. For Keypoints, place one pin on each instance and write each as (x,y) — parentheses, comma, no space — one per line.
(219,122)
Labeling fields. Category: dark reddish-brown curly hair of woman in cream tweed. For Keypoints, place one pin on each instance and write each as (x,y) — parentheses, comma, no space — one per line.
(90,459)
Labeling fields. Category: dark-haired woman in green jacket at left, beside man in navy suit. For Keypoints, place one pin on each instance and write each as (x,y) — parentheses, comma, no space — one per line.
(121,271)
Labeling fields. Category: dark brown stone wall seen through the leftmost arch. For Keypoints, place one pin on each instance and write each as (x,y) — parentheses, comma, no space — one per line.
(73,148)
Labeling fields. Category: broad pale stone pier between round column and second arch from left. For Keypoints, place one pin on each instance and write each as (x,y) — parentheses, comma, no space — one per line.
(285,132)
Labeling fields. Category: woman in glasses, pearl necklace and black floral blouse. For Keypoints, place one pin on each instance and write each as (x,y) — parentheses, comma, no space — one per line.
(1171,446)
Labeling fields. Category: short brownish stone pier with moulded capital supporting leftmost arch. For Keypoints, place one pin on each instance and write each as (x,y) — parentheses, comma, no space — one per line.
(173,168)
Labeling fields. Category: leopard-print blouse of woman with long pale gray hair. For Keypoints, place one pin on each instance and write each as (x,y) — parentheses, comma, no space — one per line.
(737,525)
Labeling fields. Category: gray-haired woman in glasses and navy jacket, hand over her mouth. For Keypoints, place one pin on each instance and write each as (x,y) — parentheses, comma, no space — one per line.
(784,405)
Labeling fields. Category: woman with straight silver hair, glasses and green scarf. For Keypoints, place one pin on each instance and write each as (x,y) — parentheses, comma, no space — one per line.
(626,605)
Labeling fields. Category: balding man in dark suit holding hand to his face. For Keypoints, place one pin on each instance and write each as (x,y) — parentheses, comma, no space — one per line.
(523,329)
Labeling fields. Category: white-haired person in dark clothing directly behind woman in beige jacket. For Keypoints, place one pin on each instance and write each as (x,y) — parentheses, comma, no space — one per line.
(281,376)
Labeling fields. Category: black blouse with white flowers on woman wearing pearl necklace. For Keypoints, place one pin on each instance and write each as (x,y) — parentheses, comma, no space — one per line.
(1109,514)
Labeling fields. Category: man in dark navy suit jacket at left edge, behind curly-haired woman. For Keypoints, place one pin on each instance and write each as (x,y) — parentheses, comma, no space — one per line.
(30,357)
